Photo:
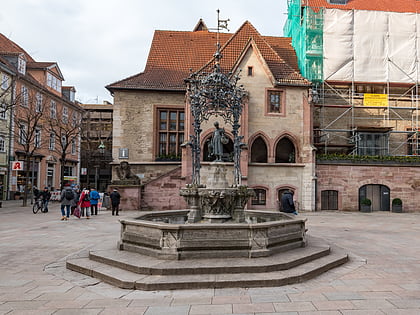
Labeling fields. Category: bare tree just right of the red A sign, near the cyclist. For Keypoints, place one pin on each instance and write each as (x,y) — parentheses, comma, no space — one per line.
(28,116)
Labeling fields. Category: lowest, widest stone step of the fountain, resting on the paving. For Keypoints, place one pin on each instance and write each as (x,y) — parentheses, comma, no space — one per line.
(131,280)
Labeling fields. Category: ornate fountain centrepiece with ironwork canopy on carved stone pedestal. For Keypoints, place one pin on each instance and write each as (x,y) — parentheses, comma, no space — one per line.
(216,94)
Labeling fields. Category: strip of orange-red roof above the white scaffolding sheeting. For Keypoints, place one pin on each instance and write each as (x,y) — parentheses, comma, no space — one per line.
(371,5)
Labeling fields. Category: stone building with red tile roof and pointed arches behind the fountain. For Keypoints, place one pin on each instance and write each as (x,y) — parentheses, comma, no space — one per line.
(152,117)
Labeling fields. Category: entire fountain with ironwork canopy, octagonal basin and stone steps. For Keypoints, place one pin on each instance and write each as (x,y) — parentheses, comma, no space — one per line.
(215,242)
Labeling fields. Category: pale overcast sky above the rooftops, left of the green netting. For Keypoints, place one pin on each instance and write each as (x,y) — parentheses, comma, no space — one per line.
(98,42)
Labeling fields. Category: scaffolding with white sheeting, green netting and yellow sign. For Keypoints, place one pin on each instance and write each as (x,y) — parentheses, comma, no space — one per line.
(356,110)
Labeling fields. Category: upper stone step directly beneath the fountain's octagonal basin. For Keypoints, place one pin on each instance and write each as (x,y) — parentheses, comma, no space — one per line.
(142,264)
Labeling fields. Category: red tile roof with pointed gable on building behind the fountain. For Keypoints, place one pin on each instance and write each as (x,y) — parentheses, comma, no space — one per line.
(174,53)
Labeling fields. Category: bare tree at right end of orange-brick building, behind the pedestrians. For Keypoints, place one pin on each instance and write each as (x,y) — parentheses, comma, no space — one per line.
(66,130)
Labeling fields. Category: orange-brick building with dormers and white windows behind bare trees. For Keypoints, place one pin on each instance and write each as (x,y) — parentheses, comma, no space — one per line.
(40,115)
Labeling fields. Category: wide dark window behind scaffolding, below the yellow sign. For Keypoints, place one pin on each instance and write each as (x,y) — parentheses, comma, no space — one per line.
(372,143)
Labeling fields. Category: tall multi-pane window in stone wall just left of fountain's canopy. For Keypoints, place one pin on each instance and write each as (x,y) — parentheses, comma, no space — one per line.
(171,132)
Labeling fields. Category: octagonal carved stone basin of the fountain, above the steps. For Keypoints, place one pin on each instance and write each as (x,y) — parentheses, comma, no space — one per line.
(166,235)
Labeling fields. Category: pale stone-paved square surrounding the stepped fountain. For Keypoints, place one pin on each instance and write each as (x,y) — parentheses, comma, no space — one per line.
(383,276)
